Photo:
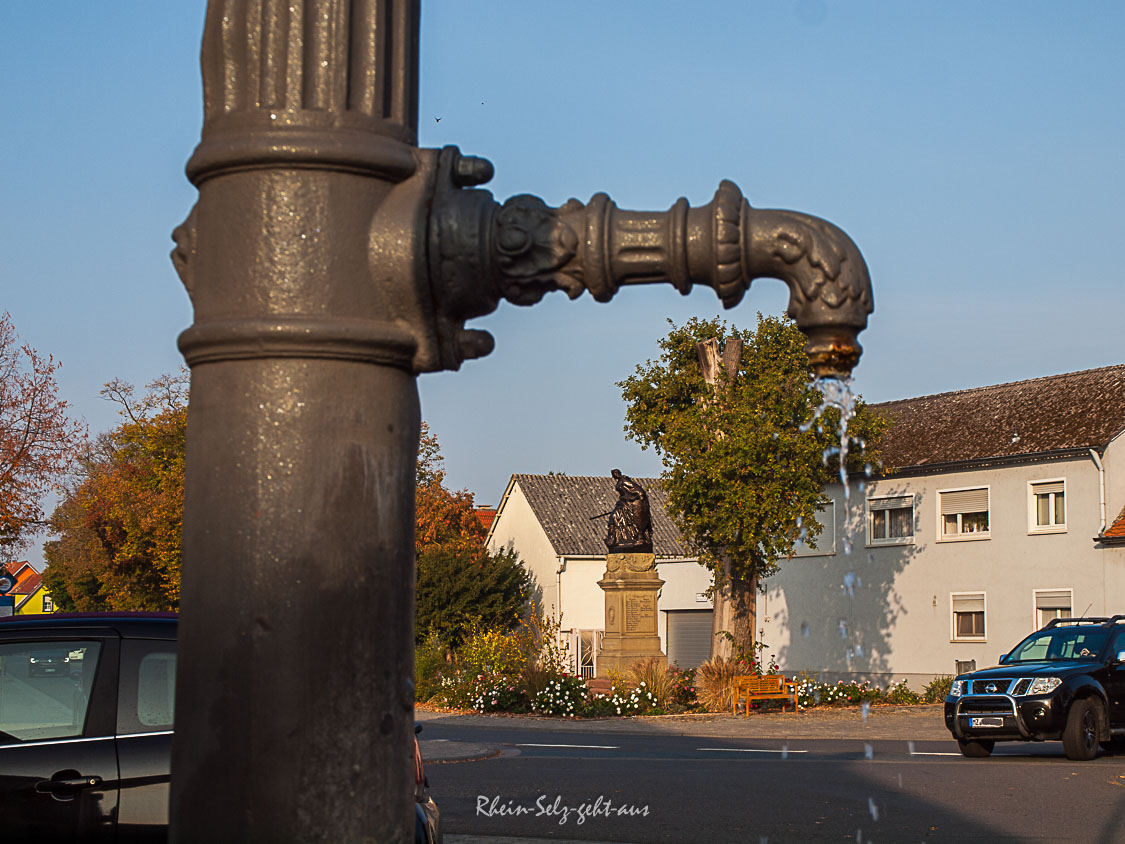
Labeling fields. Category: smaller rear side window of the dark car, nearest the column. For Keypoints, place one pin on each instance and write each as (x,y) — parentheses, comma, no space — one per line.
(146,703)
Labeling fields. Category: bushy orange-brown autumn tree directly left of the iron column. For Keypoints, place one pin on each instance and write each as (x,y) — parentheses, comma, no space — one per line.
(120,528)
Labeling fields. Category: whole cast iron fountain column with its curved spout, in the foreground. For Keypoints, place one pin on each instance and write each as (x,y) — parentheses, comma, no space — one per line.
(329,262)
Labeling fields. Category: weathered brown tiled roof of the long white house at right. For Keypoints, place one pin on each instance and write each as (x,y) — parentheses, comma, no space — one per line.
(1076,410)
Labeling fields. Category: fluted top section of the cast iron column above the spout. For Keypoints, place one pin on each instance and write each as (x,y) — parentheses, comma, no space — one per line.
(312,83)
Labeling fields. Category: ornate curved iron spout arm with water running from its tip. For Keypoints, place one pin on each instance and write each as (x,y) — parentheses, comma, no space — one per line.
(482,253)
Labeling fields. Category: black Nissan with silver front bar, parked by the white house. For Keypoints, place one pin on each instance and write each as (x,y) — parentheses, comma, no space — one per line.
(1066,683)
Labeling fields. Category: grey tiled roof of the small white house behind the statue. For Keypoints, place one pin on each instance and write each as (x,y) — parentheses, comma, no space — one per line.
(565,504)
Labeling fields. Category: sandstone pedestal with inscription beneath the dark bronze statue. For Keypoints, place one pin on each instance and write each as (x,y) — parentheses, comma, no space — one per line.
(631,585)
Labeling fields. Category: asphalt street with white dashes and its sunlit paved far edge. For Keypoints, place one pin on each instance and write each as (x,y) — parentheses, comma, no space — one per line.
(760,780)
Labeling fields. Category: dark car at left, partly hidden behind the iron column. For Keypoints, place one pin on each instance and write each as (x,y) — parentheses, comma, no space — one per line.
(86,752)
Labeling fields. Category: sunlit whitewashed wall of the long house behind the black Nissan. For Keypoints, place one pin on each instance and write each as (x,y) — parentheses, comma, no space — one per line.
(885,612)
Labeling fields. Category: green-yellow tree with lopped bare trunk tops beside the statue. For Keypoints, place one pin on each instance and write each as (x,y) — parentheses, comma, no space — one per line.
(743,470)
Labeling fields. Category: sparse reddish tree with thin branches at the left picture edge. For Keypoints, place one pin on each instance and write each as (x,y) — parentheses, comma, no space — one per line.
(38,439)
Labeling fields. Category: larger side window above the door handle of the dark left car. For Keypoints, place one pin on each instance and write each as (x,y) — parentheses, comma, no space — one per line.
(46,689)
